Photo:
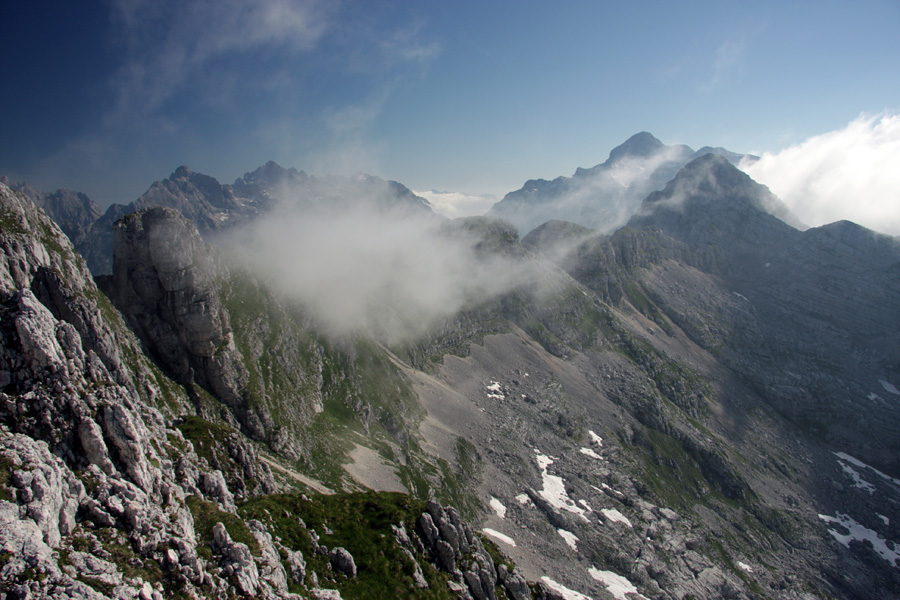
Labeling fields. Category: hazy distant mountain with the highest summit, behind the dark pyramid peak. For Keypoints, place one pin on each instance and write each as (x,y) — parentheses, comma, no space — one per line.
(603,197)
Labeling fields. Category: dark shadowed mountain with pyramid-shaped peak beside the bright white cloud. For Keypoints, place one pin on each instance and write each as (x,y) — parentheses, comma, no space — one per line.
(819,297)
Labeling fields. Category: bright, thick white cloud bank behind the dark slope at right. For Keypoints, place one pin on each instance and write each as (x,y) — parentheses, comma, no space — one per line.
(849,174)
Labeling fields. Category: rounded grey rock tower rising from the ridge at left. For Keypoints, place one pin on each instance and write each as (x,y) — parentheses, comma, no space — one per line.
(164,282)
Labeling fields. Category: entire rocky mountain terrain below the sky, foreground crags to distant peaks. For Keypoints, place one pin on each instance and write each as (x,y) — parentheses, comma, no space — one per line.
(667,389)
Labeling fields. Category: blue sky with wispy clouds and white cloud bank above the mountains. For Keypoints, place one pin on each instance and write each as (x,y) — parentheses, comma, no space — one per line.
(467,98)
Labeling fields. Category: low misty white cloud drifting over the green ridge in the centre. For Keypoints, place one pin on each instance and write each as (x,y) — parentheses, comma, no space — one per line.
(387,272)
